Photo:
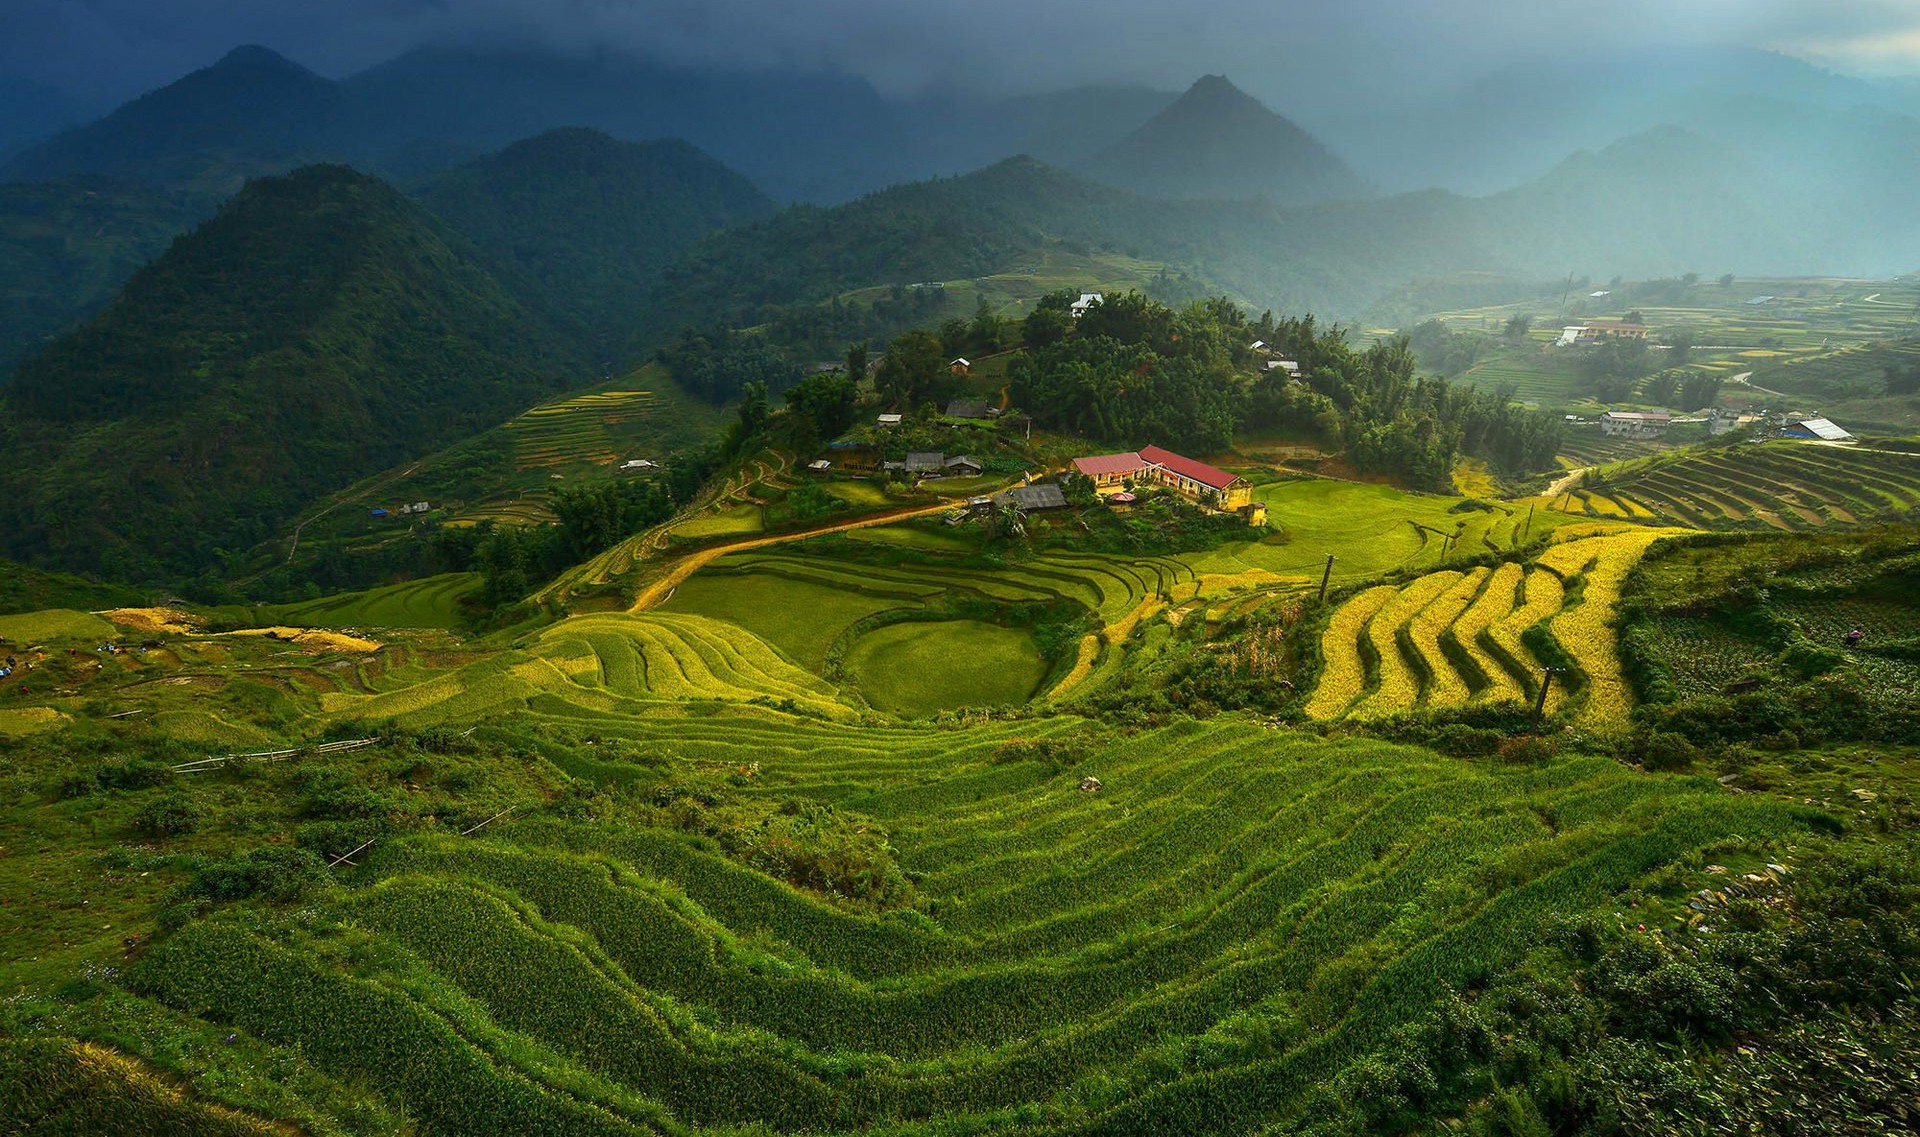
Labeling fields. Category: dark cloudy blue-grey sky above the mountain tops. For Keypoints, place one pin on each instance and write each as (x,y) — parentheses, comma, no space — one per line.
(1324,49)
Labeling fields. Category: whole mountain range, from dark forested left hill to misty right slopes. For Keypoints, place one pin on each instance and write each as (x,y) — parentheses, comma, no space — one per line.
(329,324)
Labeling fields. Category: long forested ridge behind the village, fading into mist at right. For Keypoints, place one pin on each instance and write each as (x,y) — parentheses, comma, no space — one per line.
(1604,214)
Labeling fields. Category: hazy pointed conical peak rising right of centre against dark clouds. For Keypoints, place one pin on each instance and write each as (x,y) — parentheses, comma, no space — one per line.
(1218,141)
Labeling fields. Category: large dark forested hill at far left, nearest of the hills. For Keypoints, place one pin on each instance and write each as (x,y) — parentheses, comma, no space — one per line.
(322,327)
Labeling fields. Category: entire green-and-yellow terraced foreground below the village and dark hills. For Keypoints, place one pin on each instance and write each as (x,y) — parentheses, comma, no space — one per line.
(892,827)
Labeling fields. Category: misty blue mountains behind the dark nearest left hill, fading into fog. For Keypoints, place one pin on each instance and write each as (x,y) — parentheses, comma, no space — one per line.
(1598,164)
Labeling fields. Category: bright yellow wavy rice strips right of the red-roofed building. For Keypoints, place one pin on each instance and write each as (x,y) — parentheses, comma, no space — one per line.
(1452,639)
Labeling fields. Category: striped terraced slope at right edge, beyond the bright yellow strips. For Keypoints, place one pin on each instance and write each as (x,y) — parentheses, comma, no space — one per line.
(1777,485)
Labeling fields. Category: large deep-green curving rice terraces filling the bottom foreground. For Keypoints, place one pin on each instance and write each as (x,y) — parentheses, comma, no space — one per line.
(1234,919)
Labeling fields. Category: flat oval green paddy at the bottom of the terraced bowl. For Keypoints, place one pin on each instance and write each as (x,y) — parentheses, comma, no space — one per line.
(924,667)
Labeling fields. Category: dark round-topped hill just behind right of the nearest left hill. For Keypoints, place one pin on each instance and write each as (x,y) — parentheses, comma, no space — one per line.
(583,224)
